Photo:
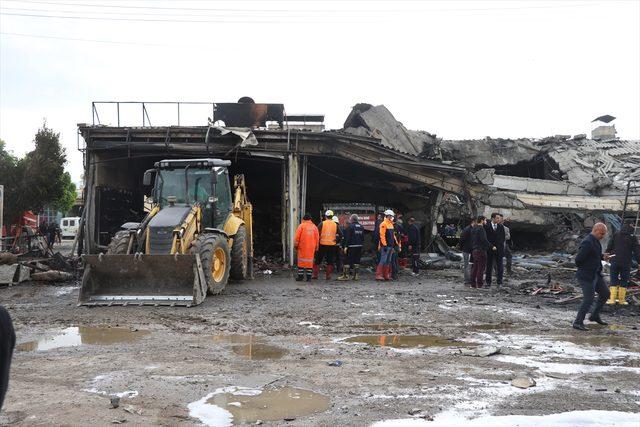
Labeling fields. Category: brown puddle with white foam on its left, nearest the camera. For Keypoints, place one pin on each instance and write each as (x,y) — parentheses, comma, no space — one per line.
(238,405)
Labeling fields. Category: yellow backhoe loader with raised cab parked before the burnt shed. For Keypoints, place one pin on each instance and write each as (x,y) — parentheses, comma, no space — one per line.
(193,239)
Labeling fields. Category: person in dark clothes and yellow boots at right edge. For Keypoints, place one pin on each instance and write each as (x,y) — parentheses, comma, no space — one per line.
(624,245)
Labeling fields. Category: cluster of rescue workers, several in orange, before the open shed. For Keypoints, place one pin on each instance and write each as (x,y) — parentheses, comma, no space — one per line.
(341,248)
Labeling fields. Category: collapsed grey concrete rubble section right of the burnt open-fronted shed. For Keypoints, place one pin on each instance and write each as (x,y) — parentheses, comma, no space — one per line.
(553,189)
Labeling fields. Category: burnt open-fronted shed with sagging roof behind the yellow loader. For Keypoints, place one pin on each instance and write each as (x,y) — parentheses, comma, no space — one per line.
(289,170)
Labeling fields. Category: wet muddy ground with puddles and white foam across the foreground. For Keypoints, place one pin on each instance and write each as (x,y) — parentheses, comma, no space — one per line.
(272,336)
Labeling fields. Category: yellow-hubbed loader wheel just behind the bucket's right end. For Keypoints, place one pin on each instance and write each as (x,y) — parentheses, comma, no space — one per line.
(215,257)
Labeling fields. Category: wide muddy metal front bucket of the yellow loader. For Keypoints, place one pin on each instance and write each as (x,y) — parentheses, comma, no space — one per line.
(143,280)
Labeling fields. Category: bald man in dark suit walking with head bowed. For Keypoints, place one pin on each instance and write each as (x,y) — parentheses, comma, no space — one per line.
(589,262)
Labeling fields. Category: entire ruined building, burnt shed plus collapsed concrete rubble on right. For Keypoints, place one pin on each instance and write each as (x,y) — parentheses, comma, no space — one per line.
(551,188)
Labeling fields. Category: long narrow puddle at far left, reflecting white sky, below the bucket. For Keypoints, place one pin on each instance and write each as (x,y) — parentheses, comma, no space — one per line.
(78,335)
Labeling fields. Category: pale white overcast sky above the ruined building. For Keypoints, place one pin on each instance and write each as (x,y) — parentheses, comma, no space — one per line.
(459,69)
